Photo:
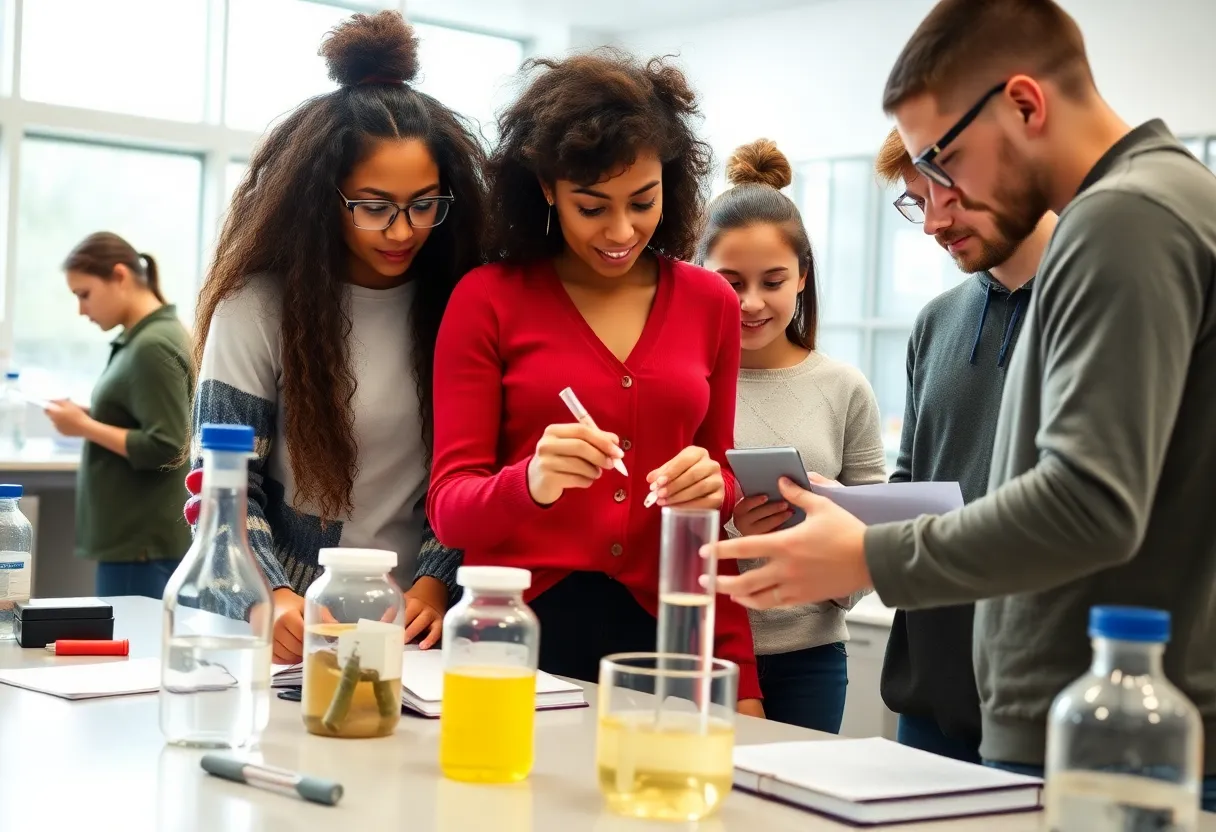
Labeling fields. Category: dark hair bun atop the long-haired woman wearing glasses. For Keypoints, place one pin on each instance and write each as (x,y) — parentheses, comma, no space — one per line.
(376,49)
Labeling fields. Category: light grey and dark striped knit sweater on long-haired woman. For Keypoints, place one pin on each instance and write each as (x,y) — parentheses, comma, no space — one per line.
(241,384)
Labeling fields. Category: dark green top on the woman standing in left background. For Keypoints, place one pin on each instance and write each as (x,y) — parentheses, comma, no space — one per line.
(130,509)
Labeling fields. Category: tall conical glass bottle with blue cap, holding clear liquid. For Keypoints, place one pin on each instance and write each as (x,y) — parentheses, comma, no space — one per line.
(218,614)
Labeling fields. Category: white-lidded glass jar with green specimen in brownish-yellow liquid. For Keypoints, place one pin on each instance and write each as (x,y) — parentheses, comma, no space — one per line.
(354,634)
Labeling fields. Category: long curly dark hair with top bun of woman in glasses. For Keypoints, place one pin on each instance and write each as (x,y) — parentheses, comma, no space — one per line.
(286,220)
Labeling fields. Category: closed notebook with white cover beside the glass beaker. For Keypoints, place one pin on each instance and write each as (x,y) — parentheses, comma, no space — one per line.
(875,782)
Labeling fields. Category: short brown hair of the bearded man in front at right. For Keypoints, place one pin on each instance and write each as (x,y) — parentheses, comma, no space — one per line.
(966,47)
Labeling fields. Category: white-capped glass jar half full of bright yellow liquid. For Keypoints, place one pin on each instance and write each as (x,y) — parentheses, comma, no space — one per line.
(492,648)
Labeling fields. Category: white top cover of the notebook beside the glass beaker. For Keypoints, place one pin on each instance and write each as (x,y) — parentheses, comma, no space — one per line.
(871,769)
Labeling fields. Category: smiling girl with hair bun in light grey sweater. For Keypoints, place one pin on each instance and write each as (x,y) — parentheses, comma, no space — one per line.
(789,395)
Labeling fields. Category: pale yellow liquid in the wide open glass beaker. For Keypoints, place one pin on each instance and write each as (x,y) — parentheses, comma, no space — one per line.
(671,772)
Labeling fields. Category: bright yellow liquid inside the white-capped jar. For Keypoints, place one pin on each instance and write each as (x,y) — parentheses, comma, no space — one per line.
(486,727)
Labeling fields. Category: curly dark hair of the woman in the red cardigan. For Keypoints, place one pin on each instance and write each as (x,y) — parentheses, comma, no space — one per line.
(581,119)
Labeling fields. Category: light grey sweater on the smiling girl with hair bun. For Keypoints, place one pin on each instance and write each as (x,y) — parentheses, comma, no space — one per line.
(827,411)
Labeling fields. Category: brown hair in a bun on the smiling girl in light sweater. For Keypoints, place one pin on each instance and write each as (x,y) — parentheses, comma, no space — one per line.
(757,173)
